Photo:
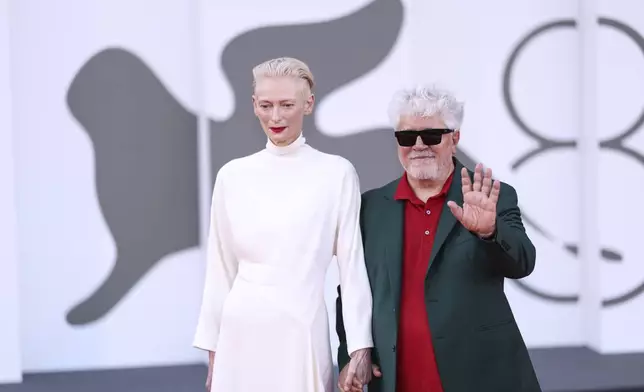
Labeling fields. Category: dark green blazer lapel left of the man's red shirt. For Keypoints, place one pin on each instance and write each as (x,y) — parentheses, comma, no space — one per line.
(392,236)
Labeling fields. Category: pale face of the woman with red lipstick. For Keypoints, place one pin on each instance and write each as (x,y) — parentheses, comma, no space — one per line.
(280,104)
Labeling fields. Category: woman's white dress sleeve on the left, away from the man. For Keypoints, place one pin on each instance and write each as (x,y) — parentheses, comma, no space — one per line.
(221,269)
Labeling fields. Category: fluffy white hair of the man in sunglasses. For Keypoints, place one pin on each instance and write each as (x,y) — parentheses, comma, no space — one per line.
(426,101)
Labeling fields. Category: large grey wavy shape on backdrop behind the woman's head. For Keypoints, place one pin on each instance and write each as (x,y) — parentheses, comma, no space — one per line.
(338,52)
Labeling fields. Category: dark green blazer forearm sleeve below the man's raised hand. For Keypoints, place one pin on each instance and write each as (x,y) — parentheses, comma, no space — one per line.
(510,246)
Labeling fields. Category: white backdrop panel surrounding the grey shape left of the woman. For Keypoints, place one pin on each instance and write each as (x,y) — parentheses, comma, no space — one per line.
(67,248)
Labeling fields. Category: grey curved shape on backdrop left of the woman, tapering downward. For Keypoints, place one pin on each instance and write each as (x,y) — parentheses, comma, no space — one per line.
(145,149)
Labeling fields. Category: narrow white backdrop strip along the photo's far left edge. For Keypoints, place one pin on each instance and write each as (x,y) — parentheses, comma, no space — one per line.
(10,370)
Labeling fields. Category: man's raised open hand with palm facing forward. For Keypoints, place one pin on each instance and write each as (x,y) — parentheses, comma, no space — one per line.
(478,213)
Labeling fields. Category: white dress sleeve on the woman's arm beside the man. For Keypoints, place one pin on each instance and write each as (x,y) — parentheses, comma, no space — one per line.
(354,282)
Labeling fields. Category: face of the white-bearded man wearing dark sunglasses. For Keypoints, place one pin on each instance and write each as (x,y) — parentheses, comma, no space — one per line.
(424,162)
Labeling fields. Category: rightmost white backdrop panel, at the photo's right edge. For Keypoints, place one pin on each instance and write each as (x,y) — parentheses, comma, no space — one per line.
(620,107)
